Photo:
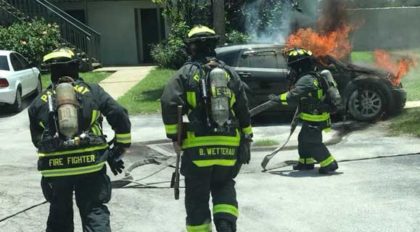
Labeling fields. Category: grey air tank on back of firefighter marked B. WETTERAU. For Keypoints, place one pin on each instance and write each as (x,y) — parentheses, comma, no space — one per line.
(220,95)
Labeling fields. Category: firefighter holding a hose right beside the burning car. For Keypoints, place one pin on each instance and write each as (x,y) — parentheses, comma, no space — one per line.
(314,111)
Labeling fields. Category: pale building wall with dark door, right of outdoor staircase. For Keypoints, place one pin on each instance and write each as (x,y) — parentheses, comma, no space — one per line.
(127,28)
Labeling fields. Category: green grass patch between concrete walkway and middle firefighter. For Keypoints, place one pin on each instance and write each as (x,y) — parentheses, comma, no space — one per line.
(145,96)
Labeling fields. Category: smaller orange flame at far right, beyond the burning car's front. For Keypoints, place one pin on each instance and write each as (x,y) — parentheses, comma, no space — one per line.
(399,68)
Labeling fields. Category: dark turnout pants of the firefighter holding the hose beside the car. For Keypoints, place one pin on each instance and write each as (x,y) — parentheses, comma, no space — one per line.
(311,148)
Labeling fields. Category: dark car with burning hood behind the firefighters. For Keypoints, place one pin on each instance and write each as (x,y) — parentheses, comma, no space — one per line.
(369,93)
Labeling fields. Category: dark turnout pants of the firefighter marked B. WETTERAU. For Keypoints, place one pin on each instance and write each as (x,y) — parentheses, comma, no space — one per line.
(200,182)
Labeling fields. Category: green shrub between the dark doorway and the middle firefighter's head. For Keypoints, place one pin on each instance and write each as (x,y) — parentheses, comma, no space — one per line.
(171,52)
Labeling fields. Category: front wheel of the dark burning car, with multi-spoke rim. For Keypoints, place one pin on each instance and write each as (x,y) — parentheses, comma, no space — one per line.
(366,103)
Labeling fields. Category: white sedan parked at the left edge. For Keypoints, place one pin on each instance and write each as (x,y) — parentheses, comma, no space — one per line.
(18,79)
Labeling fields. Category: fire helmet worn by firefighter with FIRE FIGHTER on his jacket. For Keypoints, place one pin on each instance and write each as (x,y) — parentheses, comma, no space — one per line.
(63,62)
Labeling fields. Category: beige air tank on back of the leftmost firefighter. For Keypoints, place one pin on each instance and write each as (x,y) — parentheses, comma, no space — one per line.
(67,110)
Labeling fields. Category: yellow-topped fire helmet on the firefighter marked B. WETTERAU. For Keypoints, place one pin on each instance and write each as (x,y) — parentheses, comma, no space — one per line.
(201,41)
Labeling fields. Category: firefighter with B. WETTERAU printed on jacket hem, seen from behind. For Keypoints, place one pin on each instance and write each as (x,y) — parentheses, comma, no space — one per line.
(216,139)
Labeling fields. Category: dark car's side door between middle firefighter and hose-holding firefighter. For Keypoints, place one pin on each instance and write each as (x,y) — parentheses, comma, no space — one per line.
(264,71)
